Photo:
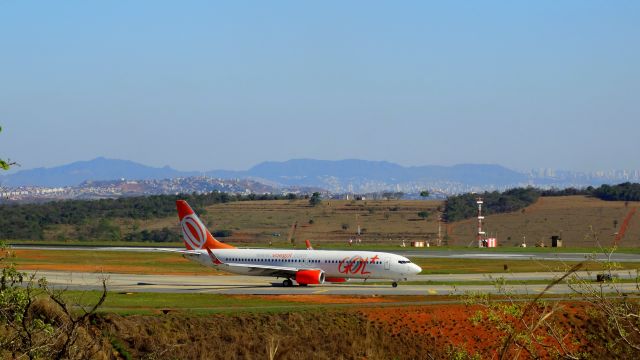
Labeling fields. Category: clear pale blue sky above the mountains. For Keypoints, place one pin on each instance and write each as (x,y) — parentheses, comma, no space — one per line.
(199,85)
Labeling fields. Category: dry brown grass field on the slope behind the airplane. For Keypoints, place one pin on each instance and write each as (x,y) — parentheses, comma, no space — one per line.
(256,223)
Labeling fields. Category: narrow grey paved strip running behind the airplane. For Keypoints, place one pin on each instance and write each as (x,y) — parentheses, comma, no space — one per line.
(458,254)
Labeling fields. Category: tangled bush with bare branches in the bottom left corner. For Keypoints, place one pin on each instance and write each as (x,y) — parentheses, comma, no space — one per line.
(37,322)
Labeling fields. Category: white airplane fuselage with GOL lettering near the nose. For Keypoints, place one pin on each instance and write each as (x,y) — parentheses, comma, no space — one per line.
(334,263)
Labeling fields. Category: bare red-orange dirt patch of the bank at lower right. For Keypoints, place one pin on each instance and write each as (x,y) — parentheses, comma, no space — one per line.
(457,328)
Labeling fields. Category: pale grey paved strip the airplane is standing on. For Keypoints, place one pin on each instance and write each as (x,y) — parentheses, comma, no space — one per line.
(252,285)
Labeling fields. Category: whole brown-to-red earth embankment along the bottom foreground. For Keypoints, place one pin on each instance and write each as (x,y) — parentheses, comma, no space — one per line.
(420,332)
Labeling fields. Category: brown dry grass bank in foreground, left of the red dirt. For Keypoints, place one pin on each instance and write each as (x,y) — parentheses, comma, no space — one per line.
(300,335)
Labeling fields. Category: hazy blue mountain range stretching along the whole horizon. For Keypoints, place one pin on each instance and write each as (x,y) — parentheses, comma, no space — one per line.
(337,176)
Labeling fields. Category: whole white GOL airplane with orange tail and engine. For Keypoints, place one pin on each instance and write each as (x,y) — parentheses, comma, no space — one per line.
(305,267)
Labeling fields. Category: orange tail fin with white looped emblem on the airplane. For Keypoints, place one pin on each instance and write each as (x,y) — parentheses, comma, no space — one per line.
(194,233)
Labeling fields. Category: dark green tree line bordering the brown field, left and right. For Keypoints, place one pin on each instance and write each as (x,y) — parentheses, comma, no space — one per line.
(93,219)
